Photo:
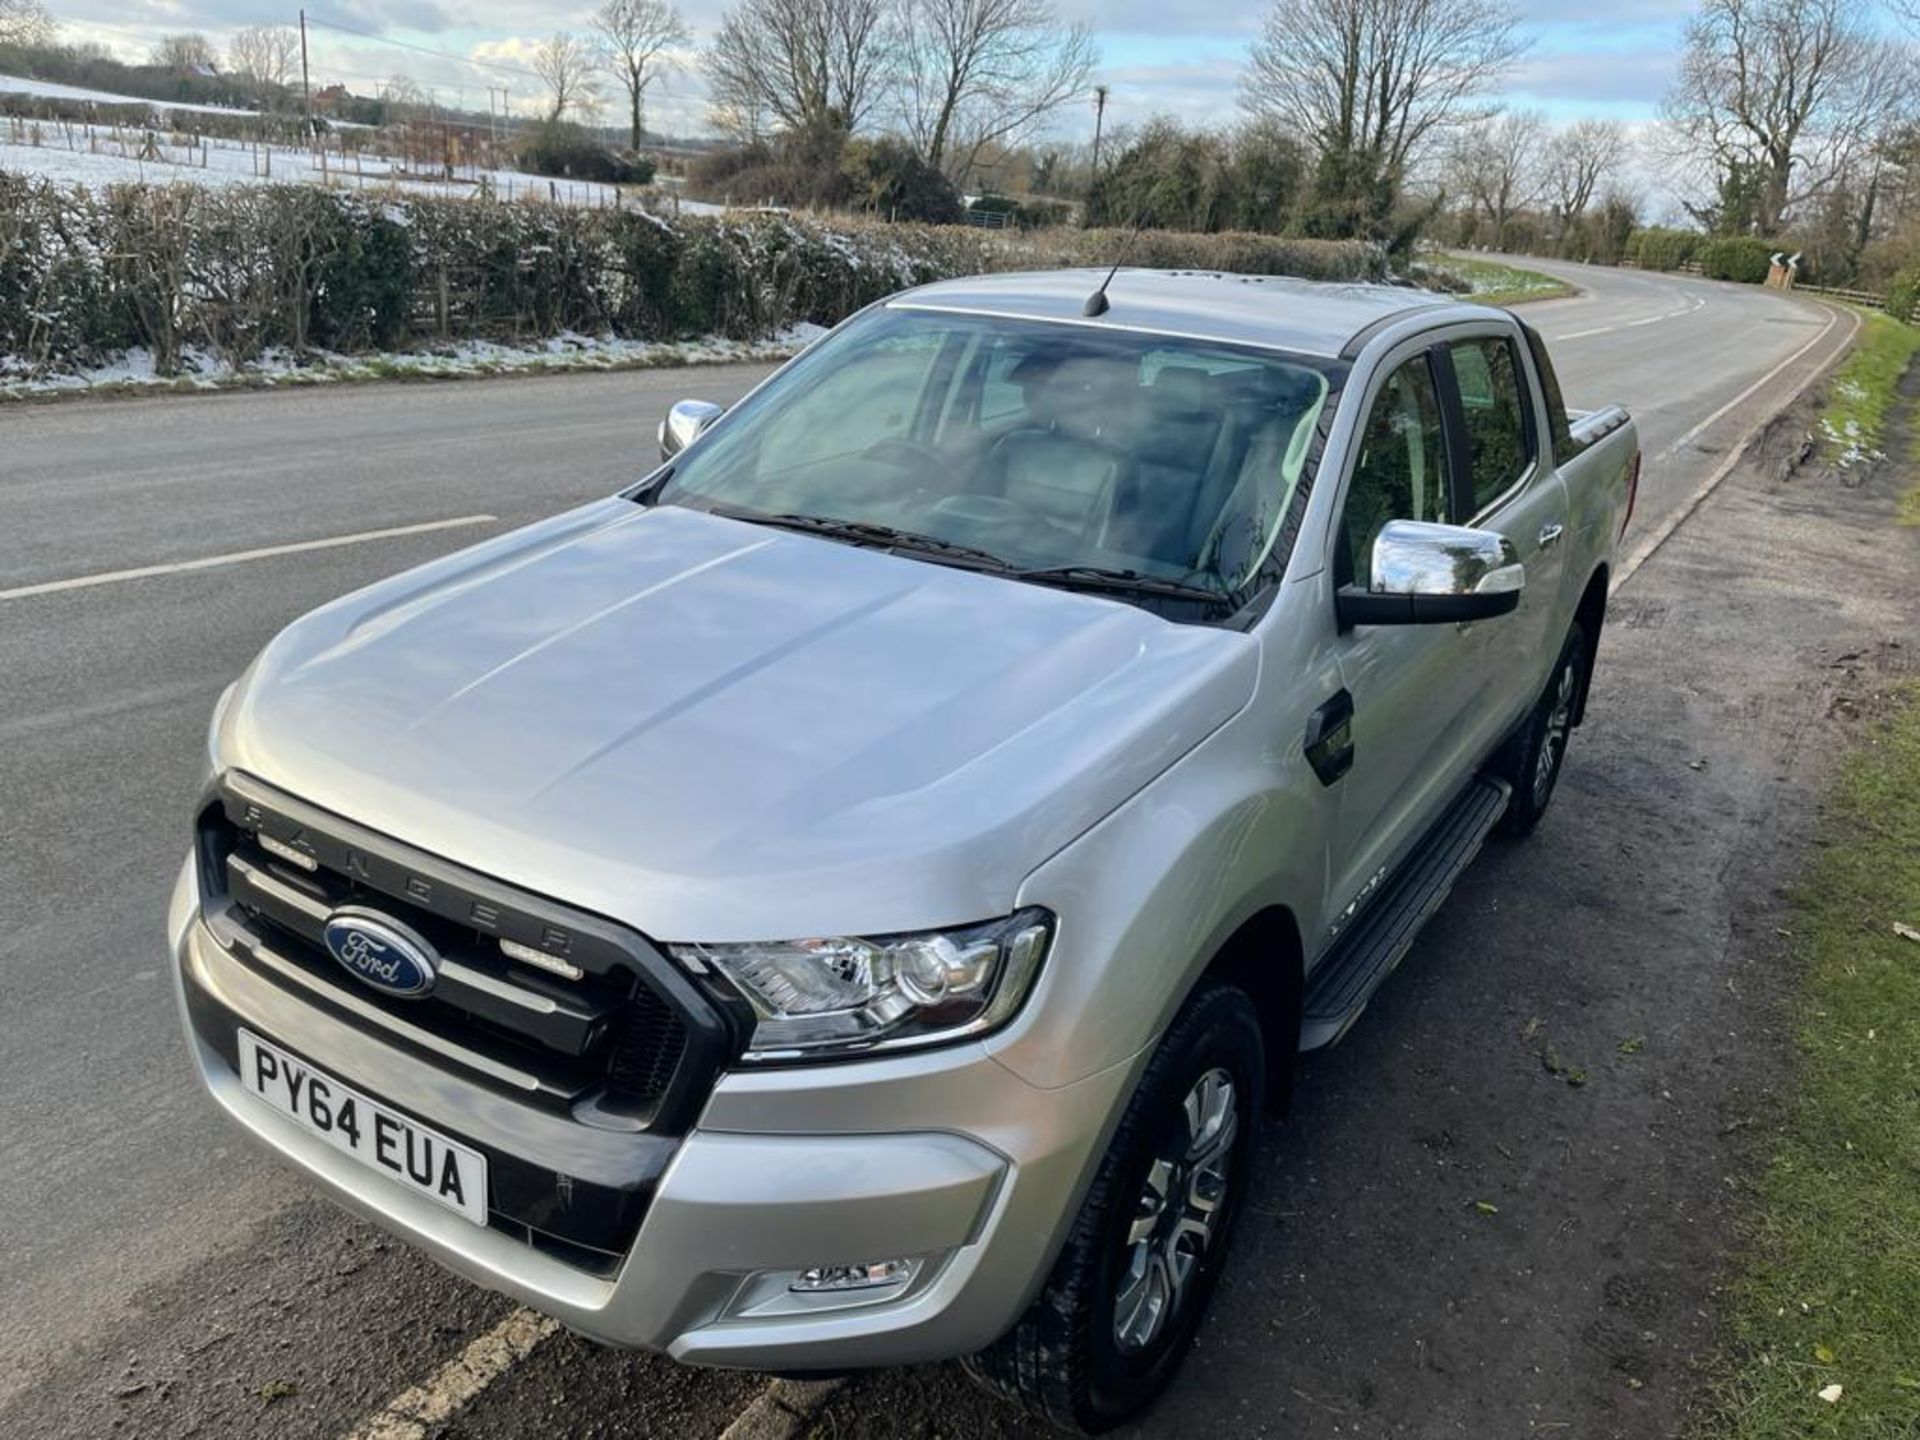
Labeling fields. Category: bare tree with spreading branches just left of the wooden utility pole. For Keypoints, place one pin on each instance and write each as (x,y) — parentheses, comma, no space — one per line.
(986,74)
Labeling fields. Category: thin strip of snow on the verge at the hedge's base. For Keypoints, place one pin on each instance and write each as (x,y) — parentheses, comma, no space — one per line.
(466,360)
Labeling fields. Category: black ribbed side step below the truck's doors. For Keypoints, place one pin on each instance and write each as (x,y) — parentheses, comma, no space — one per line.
(1380,940)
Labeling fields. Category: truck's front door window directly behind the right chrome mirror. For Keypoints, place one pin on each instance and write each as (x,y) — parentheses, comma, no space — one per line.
(1403,464)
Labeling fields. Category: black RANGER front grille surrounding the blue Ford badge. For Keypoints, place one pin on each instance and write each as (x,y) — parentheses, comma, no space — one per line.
(617,1038)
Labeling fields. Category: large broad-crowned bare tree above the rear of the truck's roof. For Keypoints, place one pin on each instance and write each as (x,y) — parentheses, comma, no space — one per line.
(1368,84)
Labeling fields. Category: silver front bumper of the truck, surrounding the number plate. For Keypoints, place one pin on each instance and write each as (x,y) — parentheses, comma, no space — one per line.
(946,1157)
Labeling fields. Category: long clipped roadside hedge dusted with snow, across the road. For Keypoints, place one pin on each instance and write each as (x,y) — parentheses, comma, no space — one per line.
(87,276)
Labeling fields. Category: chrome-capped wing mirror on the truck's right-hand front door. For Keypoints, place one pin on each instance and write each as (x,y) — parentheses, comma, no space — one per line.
(1435,575)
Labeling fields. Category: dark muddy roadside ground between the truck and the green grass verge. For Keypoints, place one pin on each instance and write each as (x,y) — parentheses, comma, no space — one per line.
(1587,1040)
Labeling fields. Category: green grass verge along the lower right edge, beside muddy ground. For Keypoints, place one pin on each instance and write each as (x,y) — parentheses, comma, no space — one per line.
(1829,1284)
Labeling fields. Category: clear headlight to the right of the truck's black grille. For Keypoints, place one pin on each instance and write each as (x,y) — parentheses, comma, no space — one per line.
(825,997)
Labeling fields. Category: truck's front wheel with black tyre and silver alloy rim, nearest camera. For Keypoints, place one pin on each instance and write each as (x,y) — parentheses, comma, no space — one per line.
(1122,1303)
